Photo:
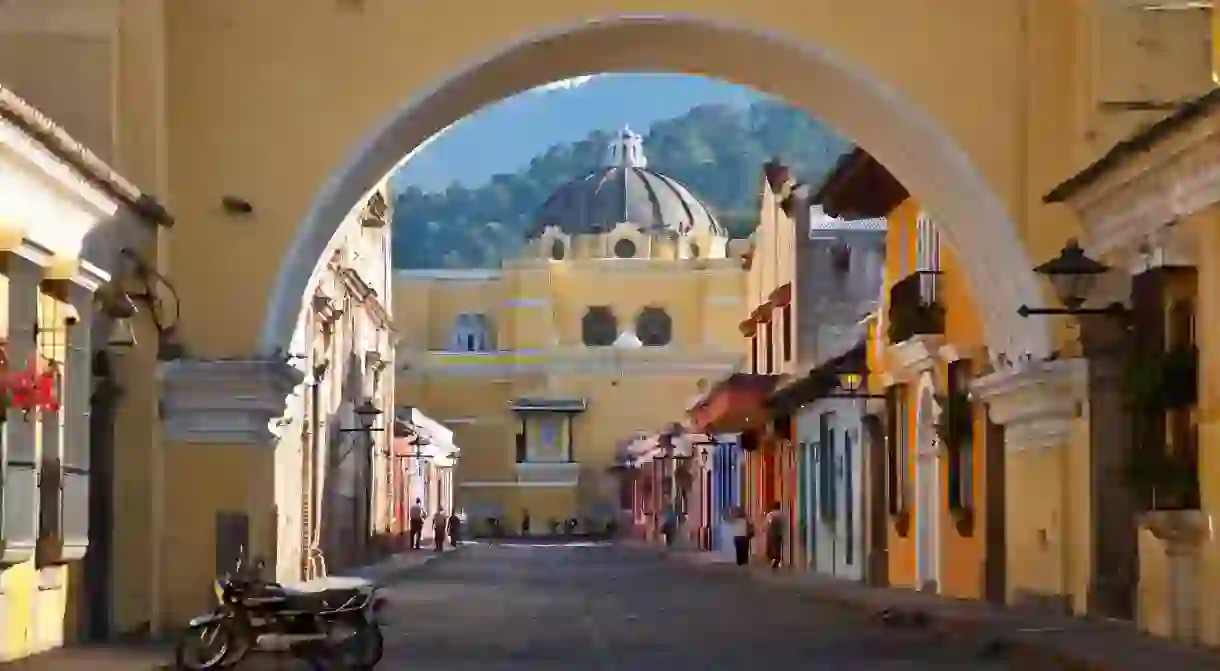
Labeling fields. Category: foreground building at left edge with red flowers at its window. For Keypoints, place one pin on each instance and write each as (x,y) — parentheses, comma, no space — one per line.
(71,230)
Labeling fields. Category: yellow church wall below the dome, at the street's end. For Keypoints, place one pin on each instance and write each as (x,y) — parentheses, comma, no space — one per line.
(537,308)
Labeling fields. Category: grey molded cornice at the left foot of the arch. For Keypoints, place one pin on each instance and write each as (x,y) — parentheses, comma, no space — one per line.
(225,402)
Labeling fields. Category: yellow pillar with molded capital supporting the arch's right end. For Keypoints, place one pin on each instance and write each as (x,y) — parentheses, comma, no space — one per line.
(1046,475)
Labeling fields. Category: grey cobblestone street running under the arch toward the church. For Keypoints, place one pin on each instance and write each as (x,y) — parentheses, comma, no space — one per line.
(602,608)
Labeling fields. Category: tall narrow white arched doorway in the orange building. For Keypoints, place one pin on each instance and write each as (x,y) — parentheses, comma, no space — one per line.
(928,489)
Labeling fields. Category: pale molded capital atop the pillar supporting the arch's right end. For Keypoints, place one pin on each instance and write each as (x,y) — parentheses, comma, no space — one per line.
(1038,403)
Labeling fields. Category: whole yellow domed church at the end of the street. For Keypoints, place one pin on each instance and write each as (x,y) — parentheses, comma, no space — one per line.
(624,302)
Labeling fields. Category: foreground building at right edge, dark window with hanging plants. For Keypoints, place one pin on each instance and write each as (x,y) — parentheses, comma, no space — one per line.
(1152,217)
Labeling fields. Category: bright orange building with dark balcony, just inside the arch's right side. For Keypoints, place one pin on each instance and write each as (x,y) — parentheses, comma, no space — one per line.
(944,489)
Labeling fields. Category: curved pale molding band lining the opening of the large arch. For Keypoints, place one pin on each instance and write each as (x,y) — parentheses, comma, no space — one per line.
(899,134)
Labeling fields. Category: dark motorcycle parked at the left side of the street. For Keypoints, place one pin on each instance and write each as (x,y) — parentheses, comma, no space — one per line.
(329,623)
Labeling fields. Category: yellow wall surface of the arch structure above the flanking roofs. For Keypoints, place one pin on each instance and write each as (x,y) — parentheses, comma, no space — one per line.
(221,126)
